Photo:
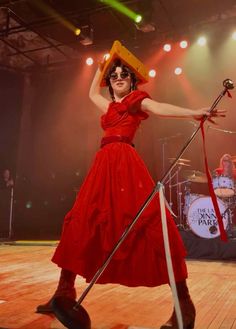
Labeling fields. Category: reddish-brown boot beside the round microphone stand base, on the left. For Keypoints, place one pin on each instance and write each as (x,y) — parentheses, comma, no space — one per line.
(65,288)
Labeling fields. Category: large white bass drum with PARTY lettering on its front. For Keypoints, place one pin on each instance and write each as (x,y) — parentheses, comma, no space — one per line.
(202,219)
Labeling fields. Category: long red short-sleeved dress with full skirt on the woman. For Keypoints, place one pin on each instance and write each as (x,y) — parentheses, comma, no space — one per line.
(116,186)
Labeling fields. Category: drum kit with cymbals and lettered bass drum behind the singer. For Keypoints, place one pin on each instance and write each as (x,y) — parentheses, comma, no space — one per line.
(196,211)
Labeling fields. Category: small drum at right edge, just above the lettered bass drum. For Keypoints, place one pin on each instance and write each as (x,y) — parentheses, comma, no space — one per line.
(223,186)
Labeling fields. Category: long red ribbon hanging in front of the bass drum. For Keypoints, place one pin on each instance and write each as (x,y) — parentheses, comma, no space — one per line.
(223,235)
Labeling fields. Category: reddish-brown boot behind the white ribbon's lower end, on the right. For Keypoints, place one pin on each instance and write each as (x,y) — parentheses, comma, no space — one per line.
(187,309)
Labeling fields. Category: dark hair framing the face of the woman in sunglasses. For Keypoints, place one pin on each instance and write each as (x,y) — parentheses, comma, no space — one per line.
(125,68)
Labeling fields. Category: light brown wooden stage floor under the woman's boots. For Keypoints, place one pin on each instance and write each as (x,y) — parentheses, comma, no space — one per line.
(28,278)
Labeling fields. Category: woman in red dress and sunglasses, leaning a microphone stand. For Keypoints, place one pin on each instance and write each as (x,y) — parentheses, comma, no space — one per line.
(116,186)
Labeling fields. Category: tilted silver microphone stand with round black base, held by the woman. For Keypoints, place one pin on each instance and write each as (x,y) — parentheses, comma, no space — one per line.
(71,313)
